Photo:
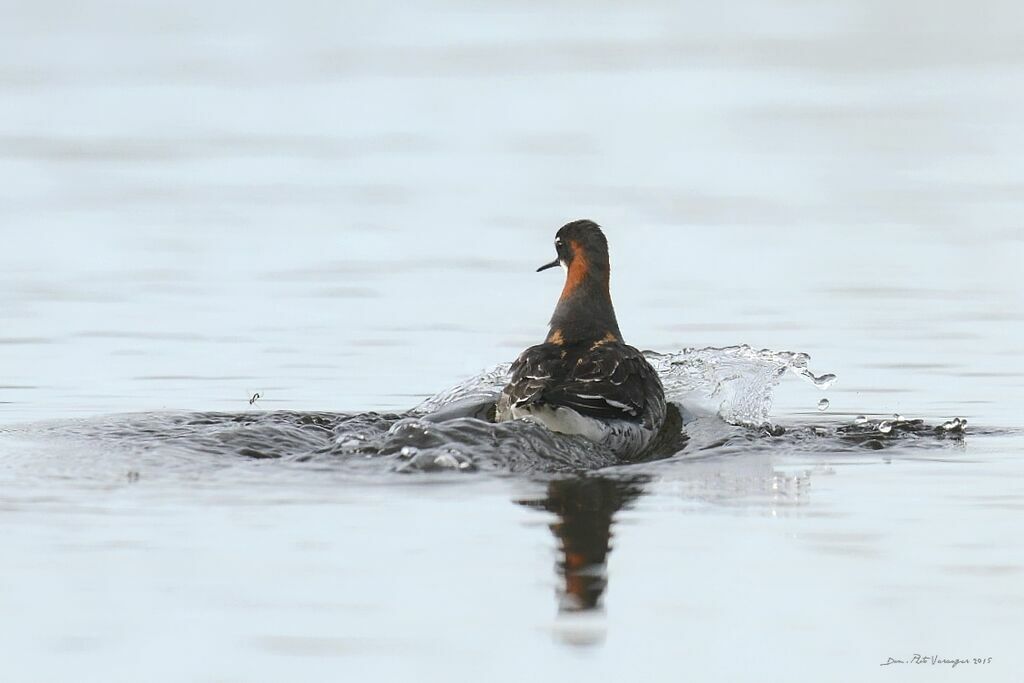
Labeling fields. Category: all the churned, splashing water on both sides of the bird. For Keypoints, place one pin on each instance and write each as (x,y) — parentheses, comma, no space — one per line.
(723,398)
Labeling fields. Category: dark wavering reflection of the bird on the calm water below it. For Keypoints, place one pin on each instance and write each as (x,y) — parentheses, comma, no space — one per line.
(585,508)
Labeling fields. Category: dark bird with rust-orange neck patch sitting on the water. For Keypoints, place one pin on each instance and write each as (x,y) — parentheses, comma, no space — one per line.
(584,379)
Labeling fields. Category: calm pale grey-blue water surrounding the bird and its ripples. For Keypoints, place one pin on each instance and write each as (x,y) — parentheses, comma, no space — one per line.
(342,207)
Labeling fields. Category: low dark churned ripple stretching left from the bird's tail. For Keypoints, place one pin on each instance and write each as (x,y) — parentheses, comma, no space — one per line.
(365,443)
